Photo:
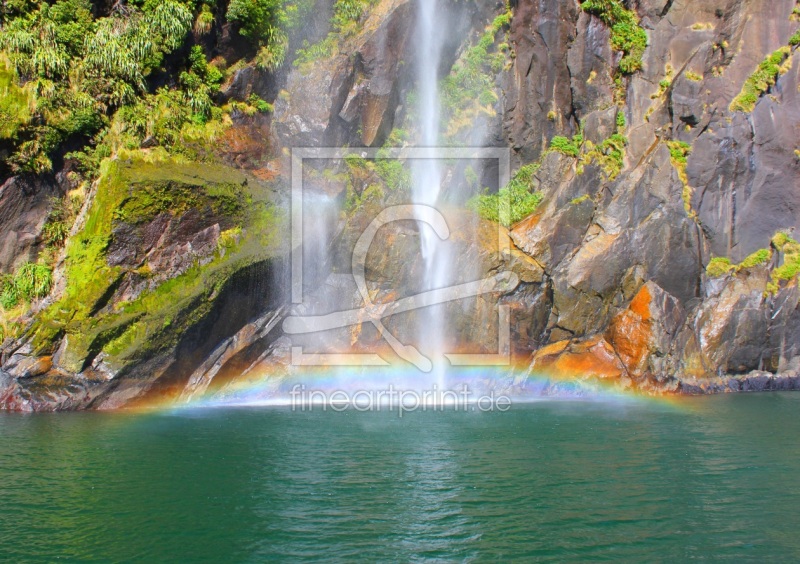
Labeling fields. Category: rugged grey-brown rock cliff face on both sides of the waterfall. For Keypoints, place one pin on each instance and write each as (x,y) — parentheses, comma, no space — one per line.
(660,257)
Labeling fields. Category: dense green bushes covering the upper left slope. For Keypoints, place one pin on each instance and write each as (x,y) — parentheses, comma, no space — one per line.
(89,77)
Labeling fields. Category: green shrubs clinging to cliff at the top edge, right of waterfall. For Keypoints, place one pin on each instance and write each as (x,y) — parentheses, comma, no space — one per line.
(626,33)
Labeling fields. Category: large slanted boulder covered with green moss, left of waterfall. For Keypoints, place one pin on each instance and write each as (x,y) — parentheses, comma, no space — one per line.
(149,259)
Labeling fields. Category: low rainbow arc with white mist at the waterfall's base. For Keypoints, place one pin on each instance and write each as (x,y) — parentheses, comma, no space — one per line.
(514,384)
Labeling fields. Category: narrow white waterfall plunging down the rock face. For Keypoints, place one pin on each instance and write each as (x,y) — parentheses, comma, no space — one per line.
(427,178)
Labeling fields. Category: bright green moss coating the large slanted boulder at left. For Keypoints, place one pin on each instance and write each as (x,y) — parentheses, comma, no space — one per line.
(135,192)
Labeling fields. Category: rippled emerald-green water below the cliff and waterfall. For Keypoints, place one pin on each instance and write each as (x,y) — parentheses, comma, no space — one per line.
(718,478)
